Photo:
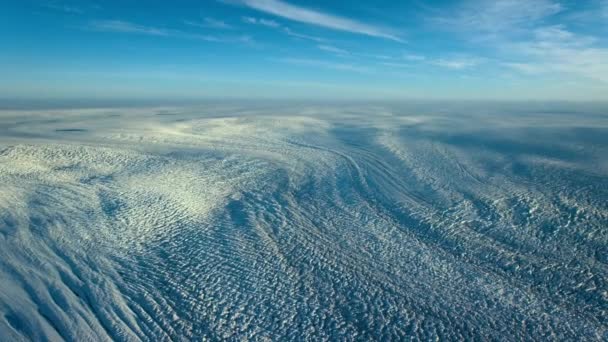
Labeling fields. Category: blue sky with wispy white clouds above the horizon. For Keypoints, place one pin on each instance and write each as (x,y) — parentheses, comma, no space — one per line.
(468,49)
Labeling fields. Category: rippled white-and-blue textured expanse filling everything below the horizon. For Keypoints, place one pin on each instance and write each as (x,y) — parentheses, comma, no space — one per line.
(305,222)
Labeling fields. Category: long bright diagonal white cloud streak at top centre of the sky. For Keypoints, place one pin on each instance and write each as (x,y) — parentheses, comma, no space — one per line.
(313,17)
